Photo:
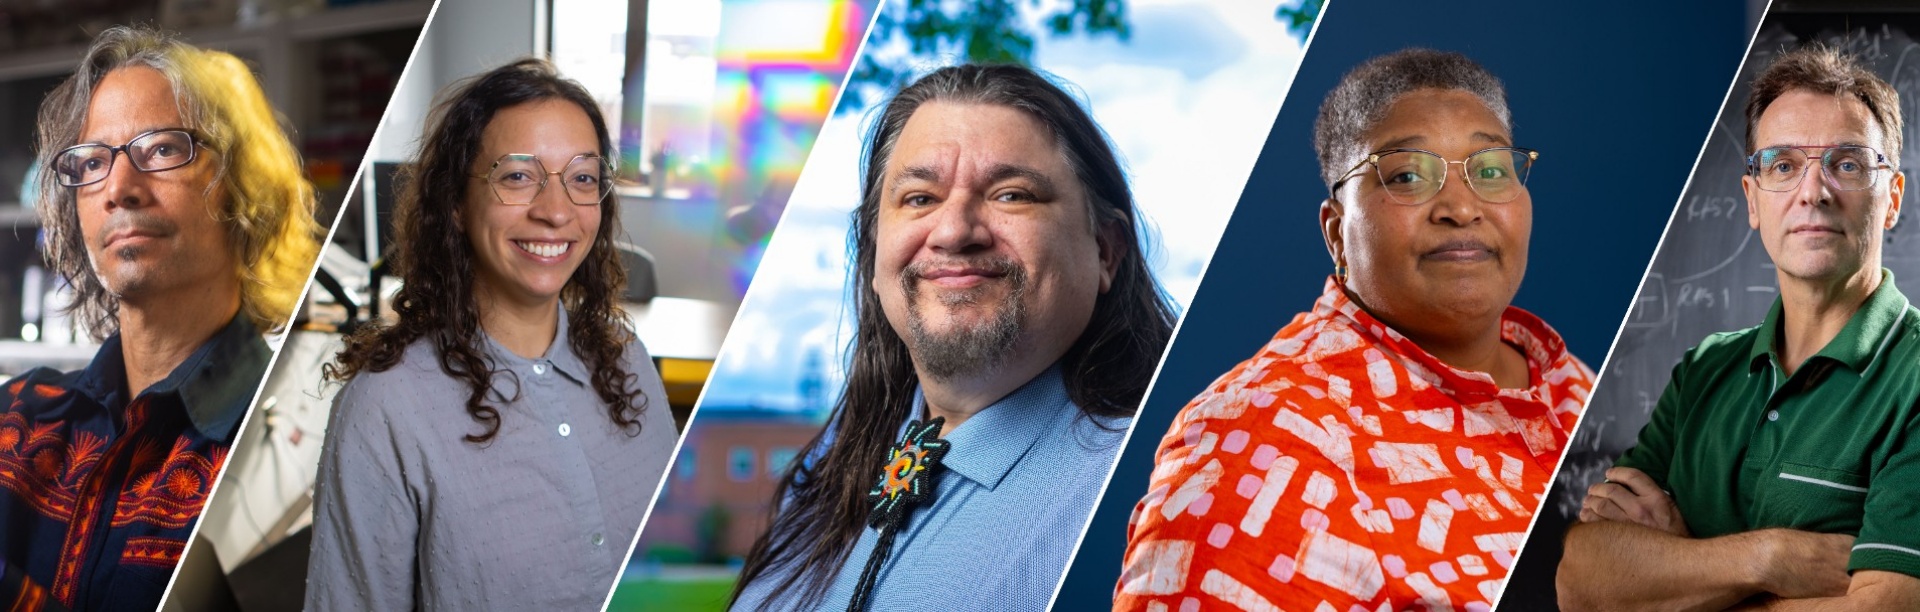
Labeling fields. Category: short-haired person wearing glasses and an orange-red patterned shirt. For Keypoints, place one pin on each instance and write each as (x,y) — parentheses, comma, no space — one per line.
(1387,448)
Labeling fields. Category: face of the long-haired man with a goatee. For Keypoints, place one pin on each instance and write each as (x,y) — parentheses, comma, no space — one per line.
(986,243)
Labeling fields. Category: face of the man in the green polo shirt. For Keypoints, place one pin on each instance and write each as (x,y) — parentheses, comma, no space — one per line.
(1813,231)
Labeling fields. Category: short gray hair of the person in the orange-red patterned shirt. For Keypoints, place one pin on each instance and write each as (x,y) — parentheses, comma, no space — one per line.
(1370,89)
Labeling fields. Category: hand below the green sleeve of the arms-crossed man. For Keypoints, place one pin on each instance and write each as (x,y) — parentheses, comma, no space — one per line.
(1798,565)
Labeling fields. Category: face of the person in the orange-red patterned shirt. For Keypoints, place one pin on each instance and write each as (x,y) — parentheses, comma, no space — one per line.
(1451,260)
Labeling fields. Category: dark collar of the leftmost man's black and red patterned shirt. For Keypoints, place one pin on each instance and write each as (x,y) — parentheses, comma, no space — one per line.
(214,385)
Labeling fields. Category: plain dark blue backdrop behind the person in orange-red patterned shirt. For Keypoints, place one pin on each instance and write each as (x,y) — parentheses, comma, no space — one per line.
(1616,97)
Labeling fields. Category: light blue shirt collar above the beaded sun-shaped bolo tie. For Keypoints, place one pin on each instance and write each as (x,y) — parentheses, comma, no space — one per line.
(994,440)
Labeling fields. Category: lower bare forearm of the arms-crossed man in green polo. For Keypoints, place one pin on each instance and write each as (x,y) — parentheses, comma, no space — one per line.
(1625,567)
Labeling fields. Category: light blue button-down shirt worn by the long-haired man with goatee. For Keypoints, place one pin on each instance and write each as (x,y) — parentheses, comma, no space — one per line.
(1007,511)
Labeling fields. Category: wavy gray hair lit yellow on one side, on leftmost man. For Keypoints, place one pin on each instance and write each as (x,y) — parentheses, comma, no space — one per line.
(268,210)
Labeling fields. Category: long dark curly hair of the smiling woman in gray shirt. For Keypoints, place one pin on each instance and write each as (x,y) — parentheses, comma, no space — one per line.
(437,262)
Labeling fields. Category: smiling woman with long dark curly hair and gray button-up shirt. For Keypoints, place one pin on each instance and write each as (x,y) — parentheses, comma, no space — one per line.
(498,444)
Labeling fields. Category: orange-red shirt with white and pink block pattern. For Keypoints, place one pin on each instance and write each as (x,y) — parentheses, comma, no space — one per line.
(1347,469)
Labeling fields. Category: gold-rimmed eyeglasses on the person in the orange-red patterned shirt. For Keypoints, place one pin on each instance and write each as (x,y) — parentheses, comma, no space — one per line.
(1414,177)
